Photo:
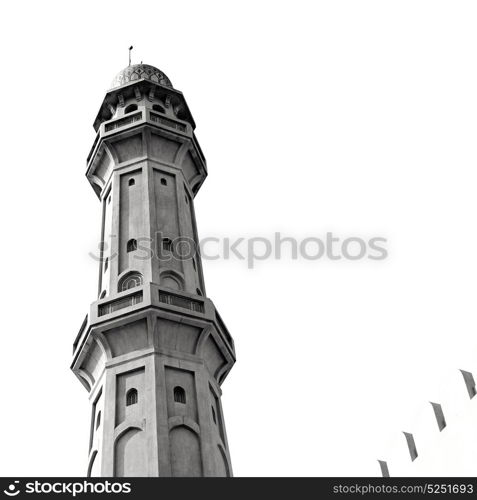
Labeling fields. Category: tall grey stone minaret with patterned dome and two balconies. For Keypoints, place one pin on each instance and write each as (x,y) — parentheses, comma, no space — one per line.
(153,350)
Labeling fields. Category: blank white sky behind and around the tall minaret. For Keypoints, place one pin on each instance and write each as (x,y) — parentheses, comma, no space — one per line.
(358,118)
